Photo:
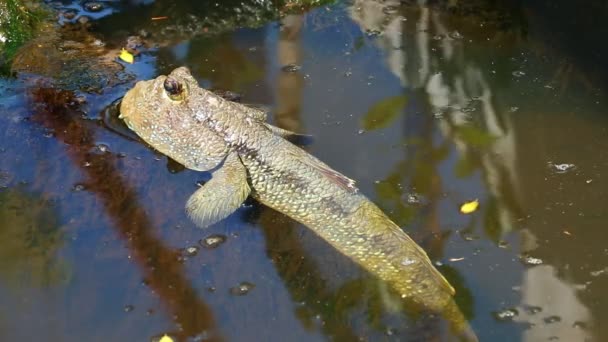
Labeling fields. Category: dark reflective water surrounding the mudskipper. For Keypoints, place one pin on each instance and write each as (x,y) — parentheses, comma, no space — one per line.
(426,107)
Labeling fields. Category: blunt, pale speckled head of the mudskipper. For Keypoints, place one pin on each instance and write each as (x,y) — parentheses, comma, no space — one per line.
(166,113)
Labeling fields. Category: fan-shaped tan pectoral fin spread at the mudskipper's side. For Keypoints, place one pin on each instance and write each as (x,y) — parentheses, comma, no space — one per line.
(222,195)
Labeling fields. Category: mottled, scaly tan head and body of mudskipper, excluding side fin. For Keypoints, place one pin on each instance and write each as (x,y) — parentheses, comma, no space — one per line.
(288,179)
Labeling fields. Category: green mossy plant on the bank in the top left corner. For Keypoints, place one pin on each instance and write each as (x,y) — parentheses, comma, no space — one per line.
(18,22)
